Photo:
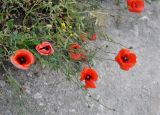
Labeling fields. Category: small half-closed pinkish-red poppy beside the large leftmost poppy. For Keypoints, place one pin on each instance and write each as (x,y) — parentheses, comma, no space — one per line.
(45,48)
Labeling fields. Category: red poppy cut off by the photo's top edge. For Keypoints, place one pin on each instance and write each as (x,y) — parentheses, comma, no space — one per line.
(135,5)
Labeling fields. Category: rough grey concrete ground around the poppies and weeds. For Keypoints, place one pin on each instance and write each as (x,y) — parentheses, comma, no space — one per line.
(136,92)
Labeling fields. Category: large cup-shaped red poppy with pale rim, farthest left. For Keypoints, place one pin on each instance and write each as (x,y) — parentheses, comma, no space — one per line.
(22,59)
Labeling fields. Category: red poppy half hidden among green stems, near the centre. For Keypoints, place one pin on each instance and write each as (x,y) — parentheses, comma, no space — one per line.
(75,52)
